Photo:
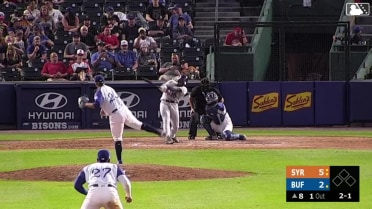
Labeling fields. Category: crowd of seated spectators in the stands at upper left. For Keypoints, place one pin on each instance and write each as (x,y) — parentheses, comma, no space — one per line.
(74,40)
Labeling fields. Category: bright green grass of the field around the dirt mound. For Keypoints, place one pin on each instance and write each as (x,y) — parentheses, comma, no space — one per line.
(264,189)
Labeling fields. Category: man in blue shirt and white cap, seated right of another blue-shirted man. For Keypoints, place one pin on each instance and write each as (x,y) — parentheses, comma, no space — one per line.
(125,57)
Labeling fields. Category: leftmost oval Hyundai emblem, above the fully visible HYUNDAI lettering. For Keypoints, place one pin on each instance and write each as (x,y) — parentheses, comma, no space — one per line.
(51,101)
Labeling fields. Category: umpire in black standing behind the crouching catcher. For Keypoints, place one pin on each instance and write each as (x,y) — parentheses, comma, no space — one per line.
(198,104)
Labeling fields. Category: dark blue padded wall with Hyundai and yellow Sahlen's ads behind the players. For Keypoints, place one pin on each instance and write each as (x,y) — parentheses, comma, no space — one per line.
(50,106)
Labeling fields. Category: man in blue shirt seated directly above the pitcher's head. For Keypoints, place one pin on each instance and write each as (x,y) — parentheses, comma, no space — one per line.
(102,58)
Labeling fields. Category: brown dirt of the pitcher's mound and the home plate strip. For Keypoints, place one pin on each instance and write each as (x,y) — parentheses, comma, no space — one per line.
(165,173)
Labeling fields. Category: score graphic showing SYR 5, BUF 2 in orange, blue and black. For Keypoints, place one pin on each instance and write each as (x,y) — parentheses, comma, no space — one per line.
(322,183)
